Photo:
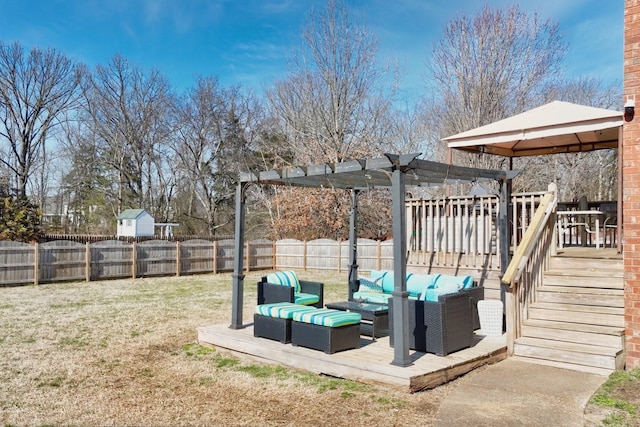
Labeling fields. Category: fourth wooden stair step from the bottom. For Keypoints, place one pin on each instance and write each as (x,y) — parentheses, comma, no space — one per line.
(585,296)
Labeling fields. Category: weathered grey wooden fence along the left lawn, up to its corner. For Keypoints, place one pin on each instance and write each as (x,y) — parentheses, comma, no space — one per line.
(57,261)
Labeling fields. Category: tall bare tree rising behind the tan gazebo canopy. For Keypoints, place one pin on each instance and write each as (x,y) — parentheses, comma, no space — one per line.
(489,67)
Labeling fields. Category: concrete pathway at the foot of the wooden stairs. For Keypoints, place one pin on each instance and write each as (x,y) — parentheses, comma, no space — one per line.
(518,393)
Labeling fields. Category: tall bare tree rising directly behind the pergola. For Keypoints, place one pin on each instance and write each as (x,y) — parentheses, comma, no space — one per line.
(334,106)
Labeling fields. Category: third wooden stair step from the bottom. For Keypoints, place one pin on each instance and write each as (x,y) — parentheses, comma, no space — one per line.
(588,314)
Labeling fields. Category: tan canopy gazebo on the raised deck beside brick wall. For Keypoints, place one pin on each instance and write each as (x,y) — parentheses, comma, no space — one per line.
(553,128)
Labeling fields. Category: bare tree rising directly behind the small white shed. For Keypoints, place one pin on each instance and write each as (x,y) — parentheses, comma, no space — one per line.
(129,113)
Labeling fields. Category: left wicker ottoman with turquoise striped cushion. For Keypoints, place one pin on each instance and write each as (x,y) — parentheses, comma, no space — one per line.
(273,321)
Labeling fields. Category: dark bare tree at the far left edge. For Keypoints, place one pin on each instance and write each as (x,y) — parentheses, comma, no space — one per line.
(36,90)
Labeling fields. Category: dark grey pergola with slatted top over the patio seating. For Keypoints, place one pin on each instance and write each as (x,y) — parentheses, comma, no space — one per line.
(392,171)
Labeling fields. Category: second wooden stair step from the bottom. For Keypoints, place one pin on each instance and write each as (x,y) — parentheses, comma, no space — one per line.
(574,332)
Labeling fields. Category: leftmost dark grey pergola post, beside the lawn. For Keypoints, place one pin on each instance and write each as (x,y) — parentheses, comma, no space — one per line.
(238,267)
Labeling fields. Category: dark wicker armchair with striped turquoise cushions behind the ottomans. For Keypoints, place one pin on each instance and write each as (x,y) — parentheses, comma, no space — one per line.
(285,286)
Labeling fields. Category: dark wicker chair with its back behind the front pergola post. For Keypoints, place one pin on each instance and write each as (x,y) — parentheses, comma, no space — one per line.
(439,327)
